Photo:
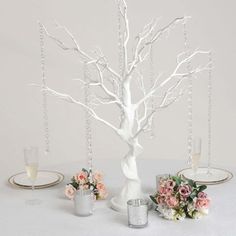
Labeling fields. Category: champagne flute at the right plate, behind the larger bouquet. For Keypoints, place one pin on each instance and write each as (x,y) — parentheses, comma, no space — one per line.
(196,154)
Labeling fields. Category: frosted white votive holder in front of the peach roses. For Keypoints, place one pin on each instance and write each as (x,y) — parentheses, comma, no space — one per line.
(84,202)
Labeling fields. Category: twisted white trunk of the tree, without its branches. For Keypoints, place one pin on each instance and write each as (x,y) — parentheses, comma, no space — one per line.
(132,186)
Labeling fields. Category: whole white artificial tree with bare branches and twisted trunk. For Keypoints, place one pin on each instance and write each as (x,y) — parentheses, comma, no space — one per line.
(137,116)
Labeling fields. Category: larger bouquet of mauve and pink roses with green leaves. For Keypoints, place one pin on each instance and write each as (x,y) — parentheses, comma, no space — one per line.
(177,198)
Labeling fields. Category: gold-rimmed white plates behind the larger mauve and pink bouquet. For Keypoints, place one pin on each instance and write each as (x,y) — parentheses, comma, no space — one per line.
(216,175)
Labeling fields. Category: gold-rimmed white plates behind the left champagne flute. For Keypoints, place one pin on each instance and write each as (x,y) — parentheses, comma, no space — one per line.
(45,179)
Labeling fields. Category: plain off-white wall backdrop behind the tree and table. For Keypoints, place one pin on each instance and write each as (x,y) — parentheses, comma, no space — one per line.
(94,23)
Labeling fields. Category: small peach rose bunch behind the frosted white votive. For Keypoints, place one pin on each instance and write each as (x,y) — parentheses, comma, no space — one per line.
(87,180)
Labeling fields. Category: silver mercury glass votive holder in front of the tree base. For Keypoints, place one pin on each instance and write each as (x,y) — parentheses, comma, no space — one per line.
(137,213)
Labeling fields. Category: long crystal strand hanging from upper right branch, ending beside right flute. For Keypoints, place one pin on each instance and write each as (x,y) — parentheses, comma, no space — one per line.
(190,99)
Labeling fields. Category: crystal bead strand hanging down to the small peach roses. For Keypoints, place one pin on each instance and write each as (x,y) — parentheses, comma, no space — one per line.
(89,151)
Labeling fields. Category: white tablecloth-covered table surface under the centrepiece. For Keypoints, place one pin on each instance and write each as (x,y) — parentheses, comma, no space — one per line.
(55,215)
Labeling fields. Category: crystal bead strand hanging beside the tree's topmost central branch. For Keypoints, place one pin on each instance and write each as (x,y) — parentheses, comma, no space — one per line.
(120,51)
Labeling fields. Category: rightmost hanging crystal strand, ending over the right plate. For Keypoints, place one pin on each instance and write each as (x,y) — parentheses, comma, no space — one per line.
(209,111)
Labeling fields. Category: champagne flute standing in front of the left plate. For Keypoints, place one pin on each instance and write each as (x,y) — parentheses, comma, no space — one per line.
(31,166)
